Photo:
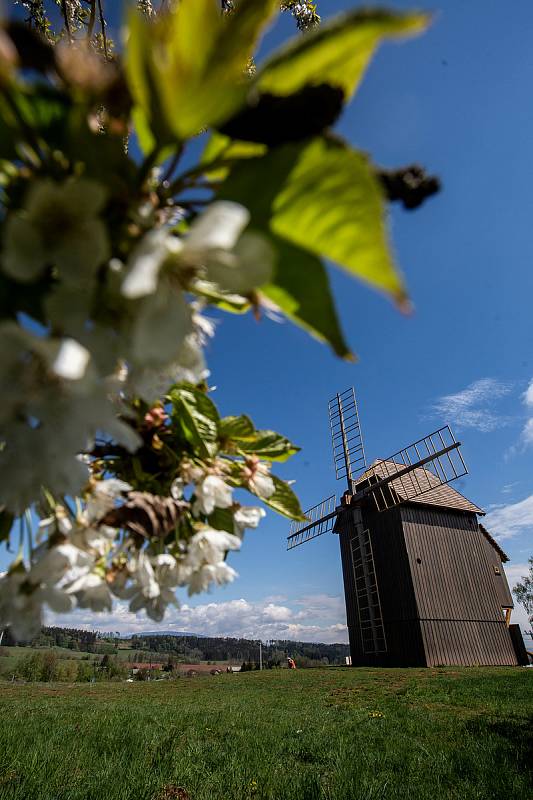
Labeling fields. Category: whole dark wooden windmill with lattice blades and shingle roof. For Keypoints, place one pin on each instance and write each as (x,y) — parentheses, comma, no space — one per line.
(423,580)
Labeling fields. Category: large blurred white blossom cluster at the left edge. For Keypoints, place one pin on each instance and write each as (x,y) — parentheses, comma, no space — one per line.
(45,420)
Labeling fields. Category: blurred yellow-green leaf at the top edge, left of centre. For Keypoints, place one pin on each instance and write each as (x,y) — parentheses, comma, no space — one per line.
(187,68)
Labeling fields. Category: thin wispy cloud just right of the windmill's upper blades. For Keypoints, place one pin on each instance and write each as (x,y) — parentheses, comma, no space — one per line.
(474,407)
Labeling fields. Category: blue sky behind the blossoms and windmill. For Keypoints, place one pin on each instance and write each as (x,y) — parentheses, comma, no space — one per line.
(459,101)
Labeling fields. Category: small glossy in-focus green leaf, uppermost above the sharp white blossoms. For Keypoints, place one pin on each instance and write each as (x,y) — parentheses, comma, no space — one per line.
(198,417)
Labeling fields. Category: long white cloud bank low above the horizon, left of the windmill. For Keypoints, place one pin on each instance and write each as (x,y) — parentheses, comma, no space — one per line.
(321,620)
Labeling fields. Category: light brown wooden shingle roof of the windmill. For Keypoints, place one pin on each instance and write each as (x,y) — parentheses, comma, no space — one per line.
(419,486)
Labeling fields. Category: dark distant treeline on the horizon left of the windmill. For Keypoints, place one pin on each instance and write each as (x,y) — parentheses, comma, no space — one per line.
(275,652)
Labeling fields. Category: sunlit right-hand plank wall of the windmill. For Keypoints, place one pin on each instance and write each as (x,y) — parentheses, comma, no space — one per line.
(458,604)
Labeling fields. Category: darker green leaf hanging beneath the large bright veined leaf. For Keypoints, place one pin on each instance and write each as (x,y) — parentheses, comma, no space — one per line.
(300,288)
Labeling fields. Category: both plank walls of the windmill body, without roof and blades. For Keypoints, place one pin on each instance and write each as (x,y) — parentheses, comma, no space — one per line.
(439,599)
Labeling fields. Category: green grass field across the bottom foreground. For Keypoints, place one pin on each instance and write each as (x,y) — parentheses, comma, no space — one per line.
(337,734)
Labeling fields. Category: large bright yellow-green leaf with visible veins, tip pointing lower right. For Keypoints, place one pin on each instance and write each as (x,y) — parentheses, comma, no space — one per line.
(325,198)
